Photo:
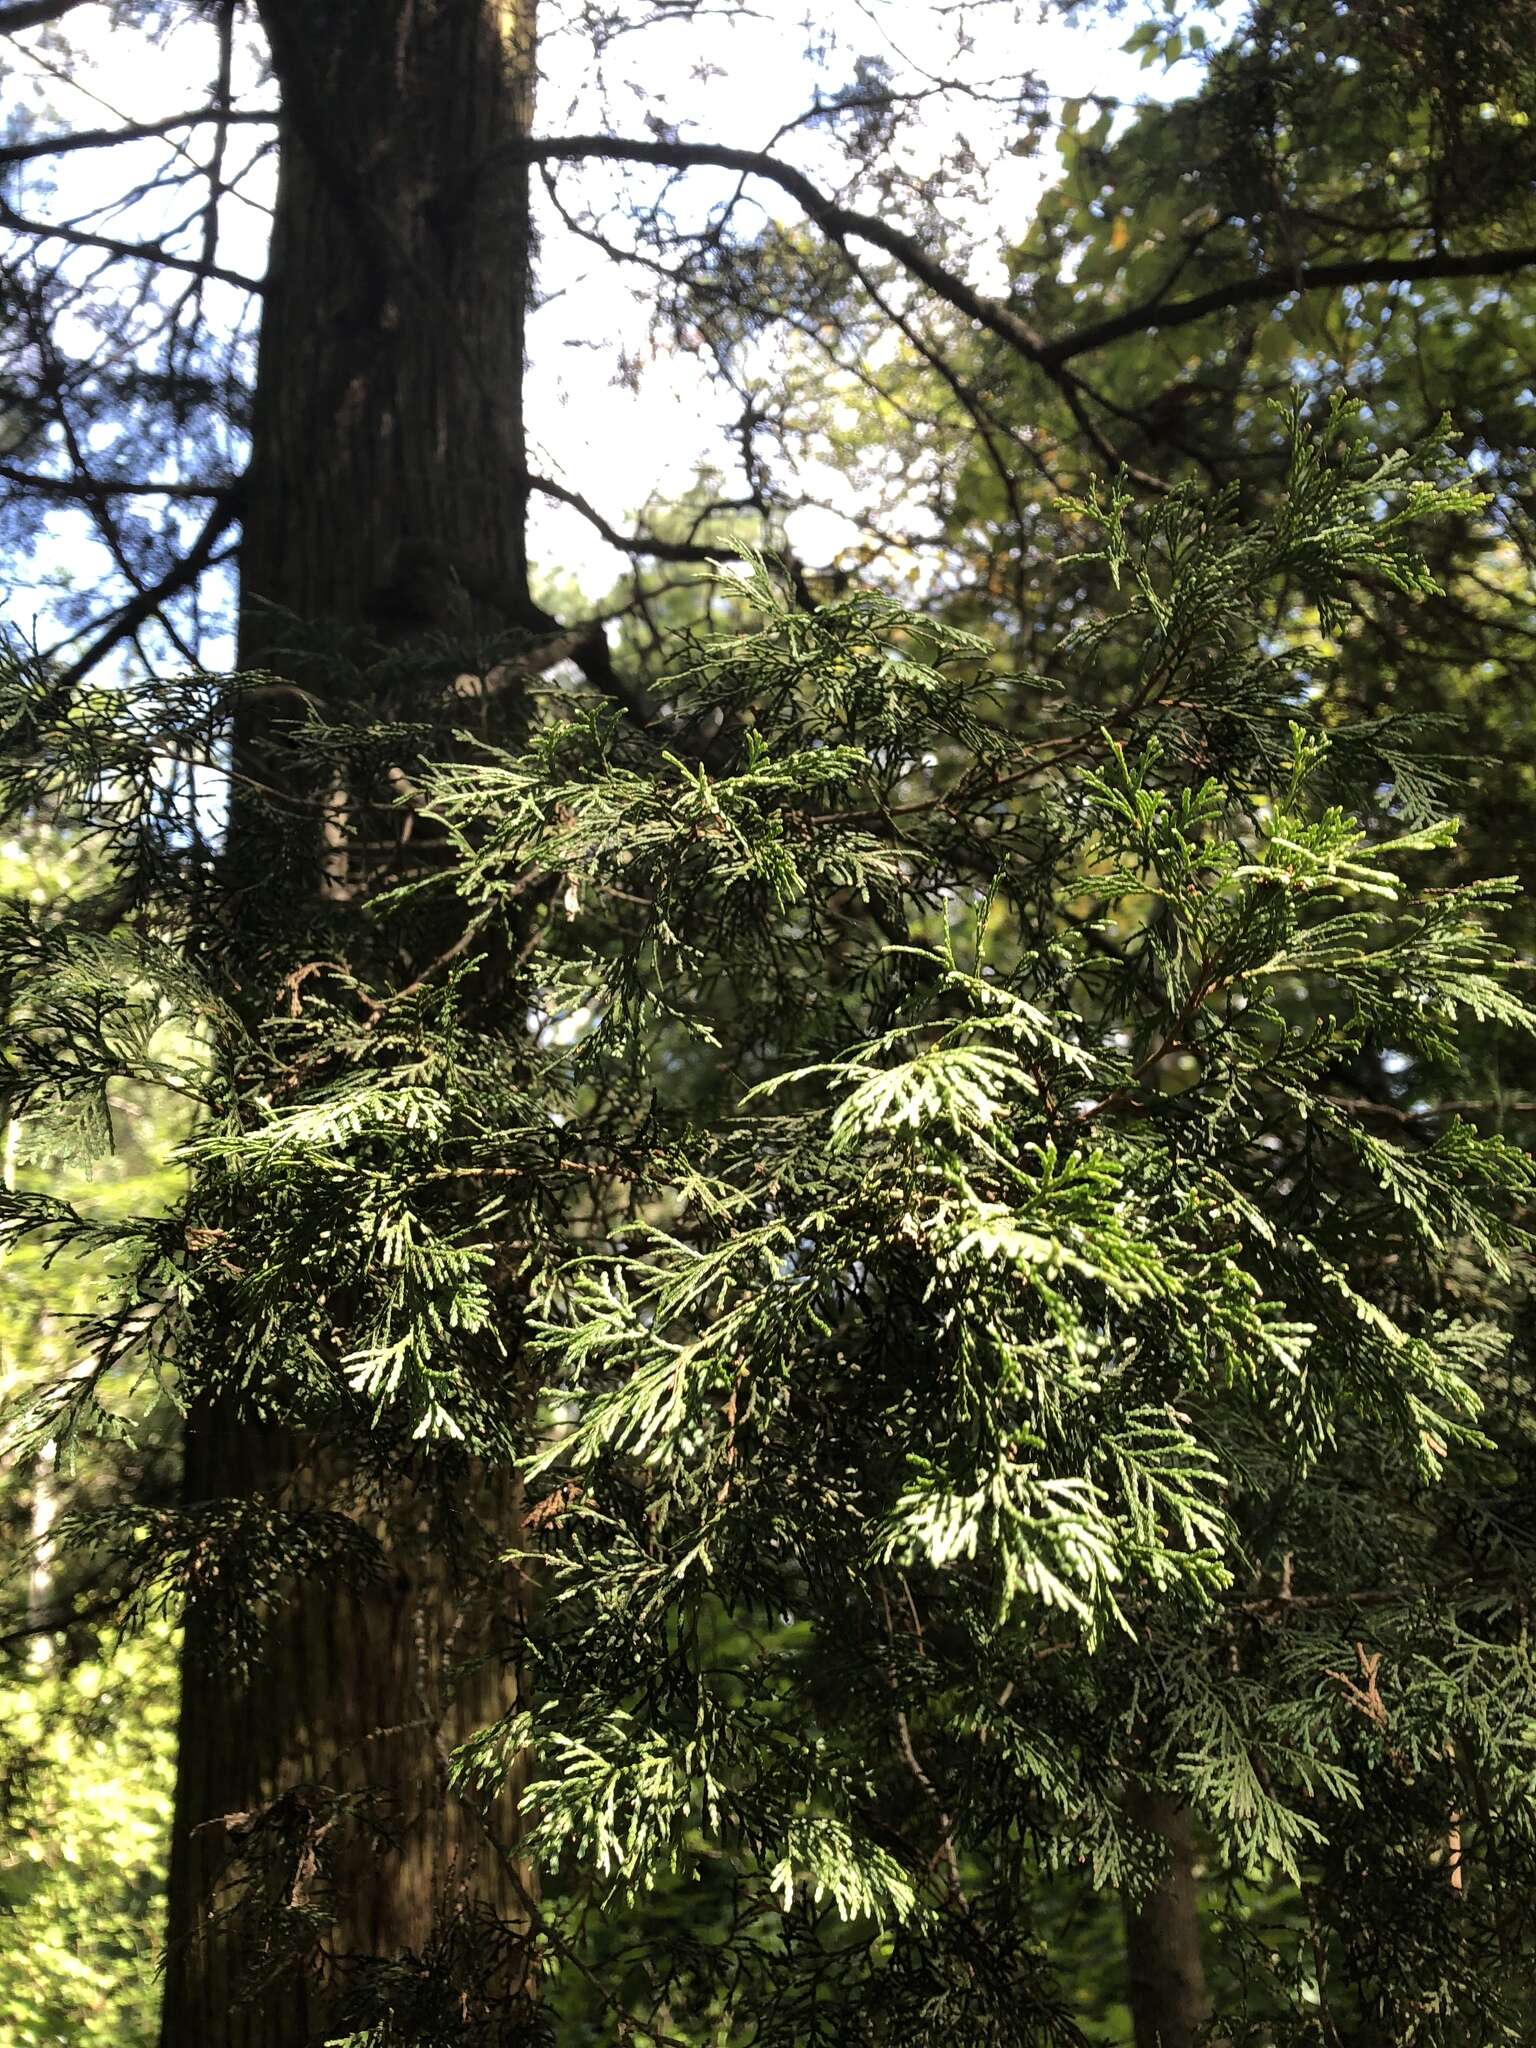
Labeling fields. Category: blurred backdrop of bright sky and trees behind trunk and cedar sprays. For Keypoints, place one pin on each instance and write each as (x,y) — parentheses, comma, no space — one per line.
(1312,200)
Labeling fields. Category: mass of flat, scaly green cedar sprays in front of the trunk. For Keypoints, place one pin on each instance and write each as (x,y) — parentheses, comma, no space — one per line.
(974,1359)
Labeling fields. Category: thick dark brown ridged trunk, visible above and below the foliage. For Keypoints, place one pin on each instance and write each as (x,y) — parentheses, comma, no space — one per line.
(386,480)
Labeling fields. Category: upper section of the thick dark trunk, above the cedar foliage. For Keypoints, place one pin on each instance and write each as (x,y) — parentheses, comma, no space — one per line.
(388,417)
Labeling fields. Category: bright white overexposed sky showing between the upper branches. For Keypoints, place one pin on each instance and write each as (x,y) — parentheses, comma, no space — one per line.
(716,77)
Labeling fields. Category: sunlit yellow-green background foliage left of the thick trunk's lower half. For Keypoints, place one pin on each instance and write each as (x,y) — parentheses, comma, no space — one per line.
(87,1758)
